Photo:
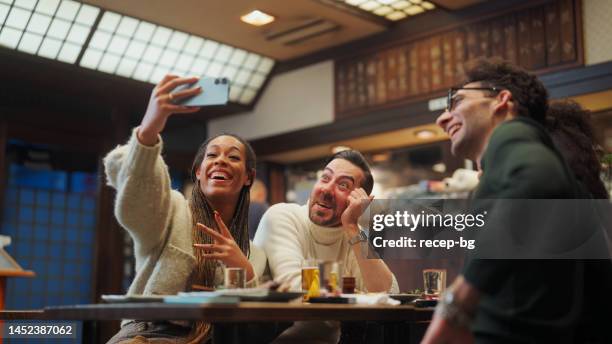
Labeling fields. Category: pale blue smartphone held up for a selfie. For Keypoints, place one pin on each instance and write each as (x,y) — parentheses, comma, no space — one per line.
(215,91)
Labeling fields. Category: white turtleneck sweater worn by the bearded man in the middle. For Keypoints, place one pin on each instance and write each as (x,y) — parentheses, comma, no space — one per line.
(288,237)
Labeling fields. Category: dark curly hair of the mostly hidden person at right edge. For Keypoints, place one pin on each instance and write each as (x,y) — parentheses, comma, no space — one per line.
(570,128)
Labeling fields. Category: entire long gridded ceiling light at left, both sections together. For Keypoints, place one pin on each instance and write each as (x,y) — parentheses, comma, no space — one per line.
(125,46)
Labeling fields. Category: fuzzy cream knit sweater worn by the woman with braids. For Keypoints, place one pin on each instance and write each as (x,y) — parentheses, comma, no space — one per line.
(158,220)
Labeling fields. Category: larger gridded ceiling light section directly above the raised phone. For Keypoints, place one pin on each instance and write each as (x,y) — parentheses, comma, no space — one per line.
(144,51)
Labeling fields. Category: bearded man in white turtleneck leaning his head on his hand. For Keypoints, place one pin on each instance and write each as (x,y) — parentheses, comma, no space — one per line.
(326,228)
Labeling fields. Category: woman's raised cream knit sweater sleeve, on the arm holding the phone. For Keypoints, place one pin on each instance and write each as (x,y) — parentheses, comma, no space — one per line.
(142,181)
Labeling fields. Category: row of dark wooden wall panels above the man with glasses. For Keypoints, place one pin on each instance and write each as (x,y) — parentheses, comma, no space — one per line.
(434,61)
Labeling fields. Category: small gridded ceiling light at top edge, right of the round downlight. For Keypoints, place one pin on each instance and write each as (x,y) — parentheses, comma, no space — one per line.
(392,10)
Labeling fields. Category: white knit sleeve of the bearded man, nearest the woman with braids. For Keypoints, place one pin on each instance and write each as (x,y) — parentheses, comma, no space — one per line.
(278,235)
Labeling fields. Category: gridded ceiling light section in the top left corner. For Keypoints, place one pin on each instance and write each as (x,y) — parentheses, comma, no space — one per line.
(54,29)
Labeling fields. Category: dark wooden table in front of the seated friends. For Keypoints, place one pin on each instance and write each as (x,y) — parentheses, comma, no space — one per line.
(228,318)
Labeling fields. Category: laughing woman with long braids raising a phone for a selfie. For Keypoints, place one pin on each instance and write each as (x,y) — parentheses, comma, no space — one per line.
(180,242)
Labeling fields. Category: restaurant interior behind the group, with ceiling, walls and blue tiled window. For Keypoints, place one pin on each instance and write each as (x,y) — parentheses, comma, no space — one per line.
(366,74)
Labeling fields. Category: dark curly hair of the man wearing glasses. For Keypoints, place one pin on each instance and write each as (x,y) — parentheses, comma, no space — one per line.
(527,90)
